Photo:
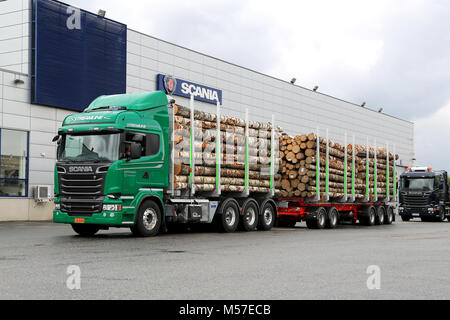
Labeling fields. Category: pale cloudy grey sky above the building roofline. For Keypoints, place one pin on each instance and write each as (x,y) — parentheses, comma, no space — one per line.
(391,54)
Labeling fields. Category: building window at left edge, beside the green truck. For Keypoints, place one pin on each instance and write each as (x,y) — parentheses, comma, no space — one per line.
(13,163)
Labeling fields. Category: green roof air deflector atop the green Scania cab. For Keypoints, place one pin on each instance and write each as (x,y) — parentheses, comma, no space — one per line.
(132,101)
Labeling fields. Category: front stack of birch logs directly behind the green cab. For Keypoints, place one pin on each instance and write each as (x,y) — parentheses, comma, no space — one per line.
(232,168)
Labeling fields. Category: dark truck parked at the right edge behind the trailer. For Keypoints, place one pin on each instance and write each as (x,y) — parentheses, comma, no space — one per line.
(424,194)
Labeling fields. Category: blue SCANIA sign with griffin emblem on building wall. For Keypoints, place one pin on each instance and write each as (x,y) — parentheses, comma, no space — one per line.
(185,88)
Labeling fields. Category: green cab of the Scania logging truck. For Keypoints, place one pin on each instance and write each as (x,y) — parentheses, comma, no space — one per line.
(110,158)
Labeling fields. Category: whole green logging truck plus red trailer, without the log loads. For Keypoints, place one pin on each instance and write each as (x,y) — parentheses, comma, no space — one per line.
(116,168)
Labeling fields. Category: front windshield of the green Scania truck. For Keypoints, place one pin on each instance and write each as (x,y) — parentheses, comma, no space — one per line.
(94,148)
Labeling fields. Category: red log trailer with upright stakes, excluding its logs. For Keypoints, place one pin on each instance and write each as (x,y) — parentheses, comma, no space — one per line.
(320,212)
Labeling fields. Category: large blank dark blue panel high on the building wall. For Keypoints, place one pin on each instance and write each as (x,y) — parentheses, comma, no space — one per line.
(77,56)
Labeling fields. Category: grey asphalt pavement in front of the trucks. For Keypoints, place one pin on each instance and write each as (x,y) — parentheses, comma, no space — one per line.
(405,260)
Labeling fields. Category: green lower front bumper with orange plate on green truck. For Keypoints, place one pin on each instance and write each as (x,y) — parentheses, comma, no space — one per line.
(106,218)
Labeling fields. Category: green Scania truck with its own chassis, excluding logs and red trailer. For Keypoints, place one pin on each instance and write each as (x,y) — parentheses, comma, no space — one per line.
(115,169)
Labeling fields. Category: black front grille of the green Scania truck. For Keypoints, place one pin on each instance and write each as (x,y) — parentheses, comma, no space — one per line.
(81,192)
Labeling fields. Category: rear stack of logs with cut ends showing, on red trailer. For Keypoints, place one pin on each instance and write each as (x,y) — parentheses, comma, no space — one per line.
(298,168)
